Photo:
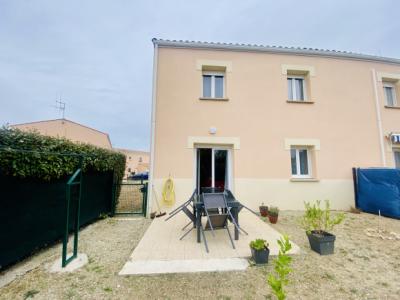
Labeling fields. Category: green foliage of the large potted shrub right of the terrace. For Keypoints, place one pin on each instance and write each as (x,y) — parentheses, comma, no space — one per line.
(317,219)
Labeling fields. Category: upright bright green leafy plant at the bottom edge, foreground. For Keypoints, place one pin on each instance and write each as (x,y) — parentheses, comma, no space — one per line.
(282,269)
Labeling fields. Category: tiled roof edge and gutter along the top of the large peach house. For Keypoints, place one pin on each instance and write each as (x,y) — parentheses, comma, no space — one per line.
(273,49)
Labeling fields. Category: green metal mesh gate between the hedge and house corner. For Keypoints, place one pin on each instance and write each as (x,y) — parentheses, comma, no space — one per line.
(130,198)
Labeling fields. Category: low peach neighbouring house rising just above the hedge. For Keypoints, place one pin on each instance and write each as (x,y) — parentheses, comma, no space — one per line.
(70,130)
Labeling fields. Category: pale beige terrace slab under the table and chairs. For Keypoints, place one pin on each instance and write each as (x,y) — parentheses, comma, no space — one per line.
(161,251)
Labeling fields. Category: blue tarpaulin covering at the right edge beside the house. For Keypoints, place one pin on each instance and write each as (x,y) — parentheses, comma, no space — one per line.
(379,189)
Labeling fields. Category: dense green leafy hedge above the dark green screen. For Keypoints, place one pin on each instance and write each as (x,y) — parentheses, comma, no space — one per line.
(31,155)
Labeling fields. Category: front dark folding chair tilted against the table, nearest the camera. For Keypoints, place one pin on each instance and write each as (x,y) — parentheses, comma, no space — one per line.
(218,213)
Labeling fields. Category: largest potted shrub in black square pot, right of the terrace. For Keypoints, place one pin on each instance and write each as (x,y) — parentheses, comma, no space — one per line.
(317,222)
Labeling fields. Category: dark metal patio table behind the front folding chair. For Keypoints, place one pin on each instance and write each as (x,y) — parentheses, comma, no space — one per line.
(232,203)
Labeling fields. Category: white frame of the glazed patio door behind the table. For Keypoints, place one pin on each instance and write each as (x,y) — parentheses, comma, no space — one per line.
(229,158)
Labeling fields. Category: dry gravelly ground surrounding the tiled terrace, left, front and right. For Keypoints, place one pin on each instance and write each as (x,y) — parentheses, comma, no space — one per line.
(361,268)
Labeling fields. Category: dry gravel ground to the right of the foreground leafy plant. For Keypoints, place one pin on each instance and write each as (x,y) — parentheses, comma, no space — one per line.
(362,267)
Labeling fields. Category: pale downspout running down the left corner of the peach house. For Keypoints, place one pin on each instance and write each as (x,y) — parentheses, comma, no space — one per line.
(153,128)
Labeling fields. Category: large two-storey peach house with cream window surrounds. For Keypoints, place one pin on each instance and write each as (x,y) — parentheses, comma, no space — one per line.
(273,124)
